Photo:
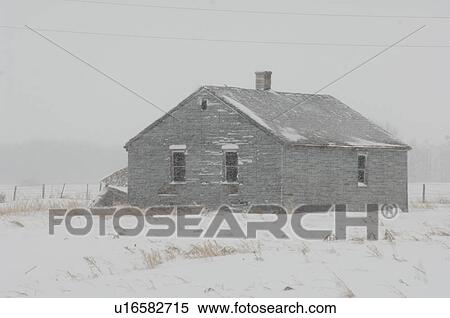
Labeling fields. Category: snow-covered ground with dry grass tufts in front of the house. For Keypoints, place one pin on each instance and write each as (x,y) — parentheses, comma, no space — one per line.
(411,259)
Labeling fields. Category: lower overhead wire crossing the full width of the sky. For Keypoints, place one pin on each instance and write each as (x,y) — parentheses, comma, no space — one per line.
(159,37)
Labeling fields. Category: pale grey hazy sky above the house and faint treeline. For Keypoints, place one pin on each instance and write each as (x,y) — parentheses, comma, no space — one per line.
(47,94)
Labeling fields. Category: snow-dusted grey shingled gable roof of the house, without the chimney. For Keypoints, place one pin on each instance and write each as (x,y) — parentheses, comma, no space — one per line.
(306,119)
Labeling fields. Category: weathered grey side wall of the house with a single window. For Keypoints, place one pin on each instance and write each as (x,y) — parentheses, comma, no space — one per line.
(318,175)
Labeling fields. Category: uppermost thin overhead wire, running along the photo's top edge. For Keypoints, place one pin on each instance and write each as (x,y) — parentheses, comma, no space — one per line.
(259,12)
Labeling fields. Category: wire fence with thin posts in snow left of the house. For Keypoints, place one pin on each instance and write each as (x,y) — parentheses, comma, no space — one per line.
(10,193)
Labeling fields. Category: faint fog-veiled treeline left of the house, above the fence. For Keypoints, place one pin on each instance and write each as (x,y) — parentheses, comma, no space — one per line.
(39,162)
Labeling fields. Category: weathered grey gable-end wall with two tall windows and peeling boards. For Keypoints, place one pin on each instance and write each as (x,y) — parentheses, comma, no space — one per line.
(204,132)
